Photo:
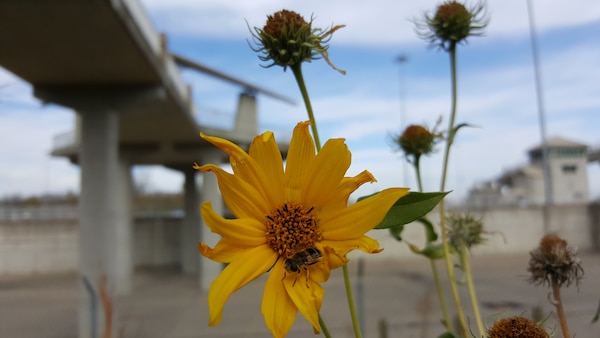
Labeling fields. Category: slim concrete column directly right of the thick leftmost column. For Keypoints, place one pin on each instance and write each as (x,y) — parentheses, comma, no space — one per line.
(123,241)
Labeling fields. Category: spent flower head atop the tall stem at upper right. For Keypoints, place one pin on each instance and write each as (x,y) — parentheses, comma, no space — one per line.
(452,23)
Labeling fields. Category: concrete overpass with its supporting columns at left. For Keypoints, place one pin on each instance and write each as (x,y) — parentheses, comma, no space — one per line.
(103,59)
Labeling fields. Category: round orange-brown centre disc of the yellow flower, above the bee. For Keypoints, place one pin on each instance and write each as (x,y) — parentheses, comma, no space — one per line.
(292,228)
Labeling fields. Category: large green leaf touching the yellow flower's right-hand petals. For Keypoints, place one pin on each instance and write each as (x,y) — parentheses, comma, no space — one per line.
(409,208)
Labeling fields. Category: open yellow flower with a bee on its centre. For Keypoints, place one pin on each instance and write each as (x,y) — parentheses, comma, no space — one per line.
(294,223)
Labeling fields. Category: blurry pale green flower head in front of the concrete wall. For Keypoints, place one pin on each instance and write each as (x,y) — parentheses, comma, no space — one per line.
(464,229)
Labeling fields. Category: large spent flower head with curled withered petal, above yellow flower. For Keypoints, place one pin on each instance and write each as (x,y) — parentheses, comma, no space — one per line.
(287,39)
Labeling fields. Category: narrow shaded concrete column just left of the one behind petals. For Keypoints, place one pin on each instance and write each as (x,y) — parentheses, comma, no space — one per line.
(191,224)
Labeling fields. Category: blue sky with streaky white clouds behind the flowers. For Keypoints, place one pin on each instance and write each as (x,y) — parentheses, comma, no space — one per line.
(496,88)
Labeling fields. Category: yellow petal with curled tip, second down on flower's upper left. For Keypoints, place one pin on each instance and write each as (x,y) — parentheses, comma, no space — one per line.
(240,197)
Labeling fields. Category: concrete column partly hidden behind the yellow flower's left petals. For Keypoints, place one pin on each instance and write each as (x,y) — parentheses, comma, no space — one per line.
(209,270)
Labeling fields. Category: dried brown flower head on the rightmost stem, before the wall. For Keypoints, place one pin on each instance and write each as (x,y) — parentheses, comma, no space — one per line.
(553,262)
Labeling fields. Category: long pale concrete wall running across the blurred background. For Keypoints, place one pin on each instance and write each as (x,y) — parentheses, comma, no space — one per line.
(36,246)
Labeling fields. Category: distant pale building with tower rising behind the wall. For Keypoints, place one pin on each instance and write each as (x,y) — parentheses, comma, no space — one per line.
(523,186)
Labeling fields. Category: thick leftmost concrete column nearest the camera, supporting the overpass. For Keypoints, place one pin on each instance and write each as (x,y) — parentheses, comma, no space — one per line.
(99,215)
